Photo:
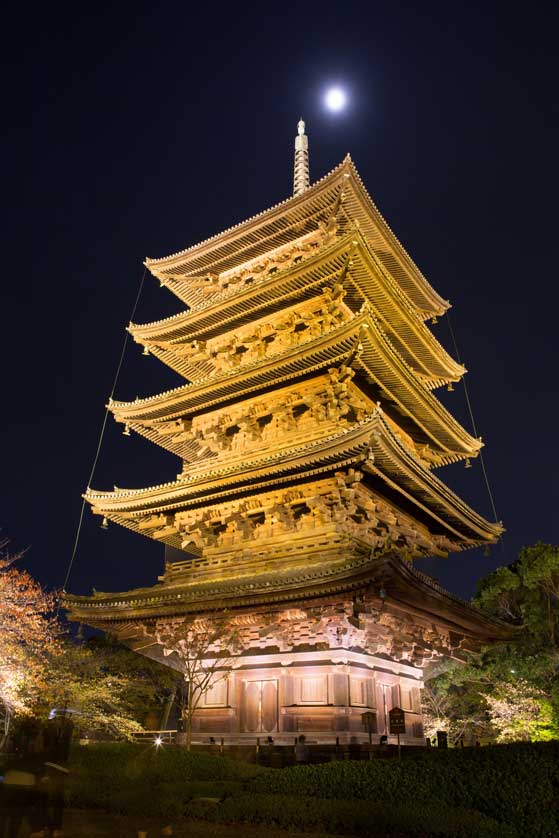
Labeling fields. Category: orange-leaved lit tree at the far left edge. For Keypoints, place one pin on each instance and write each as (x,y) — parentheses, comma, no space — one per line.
(29,638)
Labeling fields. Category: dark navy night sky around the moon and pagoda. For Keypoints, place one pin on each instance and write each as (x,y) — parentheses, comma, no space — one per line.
(136,130)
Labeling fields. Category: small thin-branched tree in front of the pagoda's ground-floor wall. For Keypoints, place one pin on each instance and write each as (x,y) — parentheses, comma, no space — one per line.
(204,649)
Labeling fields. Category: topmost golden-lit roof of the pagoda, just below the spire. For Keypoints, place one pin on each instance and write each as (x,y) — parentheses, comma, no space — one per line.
(292,218)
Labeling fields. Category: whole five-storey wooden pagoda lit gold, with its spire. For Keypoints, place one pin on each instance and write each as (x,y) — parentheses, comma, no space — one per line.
(309,437)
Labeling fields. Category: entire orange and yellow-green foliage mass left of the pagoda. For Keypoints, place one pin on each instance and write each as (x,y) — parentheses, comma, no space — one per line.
(109,688)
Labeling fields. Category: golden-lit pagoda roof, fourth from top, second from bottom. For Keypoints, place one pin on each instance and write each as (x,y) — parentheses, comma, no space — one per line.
(372,445)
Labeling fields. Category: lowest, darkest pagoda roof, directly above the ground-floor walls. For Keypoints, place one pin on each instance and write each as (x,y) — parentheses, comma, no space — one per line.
(407,591)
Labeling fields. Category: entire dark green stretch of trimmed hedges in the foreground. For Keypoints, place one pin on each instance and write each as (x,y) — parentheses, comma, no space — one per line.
(499,792)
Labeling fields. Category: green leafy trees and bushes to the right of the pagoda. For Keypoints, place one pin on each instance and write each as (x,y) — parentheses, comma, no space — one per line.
(510,691)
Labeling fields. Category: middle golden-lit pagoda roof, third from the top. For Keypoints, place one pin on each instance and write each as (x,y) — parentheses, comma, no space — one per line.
(360,342)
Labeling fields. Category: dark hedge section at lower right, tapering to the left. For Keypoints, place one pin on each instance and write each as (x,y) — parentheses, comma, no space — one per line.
(516,784)
